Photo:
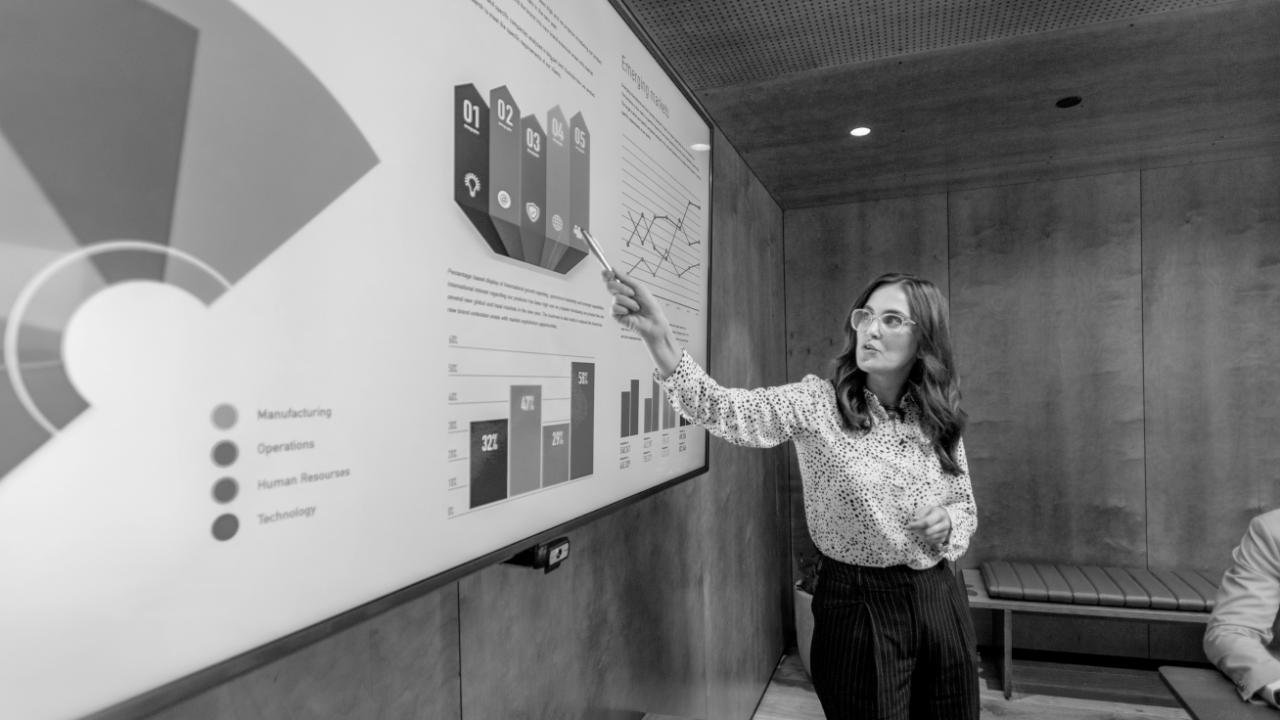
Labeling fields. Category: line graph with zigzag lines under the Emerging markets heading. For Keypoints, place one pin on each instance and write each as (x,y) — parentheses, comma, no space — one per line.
(662,229)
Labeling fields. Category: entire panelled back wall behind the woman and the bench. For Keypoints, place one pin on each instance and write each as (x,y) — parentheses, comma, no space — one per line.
(1117,345)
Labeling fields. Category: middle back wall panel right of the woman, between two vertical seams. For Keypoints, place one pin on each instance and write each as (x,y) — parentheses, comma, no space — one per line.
(1048,320)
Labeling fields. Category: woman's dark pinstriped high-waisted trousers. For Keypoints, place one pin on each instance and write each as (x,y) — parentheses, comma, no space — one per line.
(893,644)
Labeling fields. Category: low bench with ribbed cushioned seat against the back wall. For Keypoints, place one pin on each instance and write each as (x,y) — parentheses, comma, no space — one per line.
(1149,596)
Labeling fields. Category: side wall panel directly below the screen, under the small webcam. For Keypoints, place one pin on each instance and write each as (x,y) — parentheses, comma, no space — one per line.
(614,634)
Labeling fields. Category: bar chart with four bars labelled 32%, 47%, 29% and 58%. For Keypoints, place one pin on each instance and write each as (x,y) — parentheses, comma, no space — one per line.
(519,422)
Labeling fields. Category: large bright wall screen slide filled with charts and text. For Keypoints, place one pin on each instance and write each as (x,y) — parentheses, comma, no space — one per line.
(295,312)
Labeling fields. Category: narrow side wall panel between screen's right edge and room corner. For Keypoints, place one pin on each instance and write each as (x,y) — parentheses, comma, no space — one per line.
(743,535)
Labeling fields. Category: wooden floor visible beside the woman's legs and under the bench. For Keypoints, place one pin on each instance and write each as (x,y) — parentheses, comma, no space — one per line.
(790,695)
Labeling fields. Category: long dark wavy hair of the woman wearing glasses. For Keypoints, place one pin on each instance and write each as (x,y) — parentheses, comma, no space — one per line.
(932,381)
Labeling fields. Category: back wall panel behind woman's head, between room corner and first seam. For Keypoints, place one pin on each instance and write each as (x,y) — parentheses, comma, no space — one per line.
(831,254)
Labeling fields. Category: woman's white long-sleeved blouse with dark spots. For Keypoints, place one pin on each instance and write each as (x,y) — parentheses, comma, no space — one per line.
(861,489)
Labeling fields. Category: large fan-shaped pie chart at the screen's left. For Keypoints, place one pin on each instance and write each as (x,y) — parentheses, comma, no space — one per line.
(168,142)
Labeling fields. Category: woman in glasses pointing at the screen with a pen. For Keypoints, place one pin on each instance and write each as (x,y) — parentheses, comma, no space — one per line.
(886,489)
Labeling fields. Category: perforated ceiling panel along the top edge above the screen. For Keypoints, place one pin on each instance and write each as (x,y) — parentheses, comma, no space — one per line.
(719,43)
